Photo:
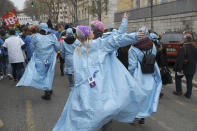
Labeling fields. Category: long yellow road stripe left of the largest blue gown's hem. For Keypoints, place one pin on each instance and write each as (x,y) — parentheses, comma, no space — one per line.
(29,116)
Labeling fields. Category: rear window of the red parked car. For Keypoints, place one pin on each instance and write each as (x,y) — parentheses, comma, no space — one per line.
(172,37)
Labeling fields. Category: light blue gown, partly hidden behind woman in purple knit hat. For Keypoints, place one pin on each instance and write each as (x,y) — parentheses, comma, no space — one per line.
(67,51)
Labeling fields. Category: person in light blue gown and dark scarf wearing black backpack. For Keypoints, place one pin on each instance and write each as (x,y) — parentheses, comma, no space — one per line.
(150,83)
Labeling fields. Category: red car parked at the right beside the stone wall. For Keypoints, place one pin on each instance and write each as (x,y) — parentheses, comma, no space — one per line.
(173,41)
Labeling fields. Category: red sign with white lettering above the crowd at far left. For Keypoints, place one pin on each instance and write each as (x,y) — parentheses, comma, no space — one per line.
(10,18)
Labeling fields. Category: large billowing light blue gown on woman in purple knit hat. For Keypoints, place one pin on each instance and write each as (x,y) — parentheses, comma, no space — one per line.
(115,95)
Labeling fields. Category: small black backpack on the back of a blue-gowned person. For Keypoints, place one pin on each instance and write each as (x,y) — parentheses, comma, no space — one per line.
(148,61)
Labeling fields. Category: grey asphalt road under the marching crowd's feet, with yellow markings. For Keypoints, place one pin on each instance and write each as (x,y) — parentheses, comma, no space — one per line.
(22,109)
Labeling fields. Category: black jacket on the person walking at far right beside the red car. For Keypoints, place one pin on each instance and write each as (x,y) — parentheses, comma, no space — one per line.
(189,53)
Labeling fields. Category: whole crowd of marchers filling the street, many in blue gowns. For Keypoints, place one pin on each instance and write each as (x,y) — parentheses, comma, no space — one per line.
(91,59)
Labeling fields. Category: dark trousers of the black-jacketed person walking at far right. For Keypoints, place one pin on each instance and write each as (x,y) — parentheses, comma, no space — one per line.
(178,81)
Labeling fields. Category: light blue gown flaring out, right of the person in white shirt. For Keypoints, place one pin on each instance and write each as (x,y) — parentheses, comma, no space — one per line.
(38,74)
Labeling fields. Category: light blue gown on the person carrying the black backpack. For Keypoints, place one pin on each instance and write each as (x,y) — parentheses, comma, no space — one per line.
(150,83)
